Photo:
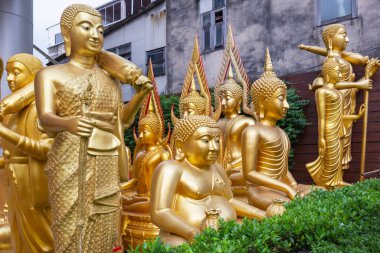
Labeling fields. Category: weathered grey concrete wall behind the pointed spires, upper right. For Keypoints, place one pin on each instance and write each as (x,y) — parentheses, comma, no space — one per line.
(280,25)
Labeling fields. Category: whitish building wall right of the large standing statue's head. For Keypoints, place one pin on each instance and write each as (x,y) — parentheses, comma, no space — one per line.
(145,33)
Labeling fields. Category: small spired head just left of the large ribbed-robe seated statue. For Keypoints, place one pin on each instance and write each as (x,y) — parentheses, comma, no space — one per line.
(231,94)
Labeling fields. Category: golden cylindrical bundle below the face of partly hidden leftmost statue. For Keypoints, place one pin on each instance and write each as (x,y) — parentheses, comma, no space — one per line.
(17,100)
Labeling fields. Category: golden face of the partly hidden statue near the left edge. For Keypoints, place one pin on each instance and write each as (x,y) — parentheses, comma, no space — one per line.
(18,75)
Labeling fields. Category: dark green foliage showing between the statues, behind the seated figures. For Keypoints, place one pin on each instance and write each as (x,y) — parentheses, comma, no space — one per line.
(293,124)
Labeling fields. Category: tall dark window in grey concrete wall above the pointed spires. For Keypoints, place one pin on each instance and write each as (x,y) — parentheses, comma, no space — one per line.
(213,24)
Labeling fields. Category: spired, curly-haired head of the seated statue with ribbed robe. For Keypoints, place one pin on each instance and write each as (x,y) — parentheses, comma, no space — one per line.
(269,94)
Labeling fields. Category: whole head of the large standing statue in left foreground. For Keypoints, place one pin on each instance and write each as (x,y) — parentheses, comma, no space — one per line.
(82,30)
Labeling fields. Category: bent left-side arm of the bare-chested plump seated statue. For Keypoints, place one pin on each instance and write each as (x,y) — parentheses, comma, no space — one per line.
(165,181)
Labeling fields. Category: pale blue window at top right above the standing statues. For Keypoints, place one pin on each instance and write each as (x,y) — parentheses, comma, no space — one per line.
(332,11)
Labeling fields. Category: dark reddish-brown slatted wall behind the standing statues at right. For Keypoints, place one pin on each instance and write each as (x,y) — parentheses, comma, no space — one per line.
(306,149)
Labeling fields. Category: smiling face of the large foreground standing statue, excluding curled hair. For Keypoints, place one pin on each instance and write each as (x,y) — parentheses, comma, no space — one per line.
(86,34)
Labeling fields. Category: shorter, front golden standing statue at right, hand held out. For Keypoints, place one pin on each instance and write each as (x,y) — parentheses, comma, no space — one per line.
(327,171)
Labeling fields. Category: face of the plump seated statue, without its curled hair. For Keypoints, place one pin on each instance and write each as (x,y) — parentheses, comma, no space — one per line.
(202,147)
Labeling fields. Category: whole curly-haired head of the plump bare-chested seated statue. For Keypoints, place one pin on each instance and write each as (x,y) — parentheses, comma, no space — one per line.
(196,139)
